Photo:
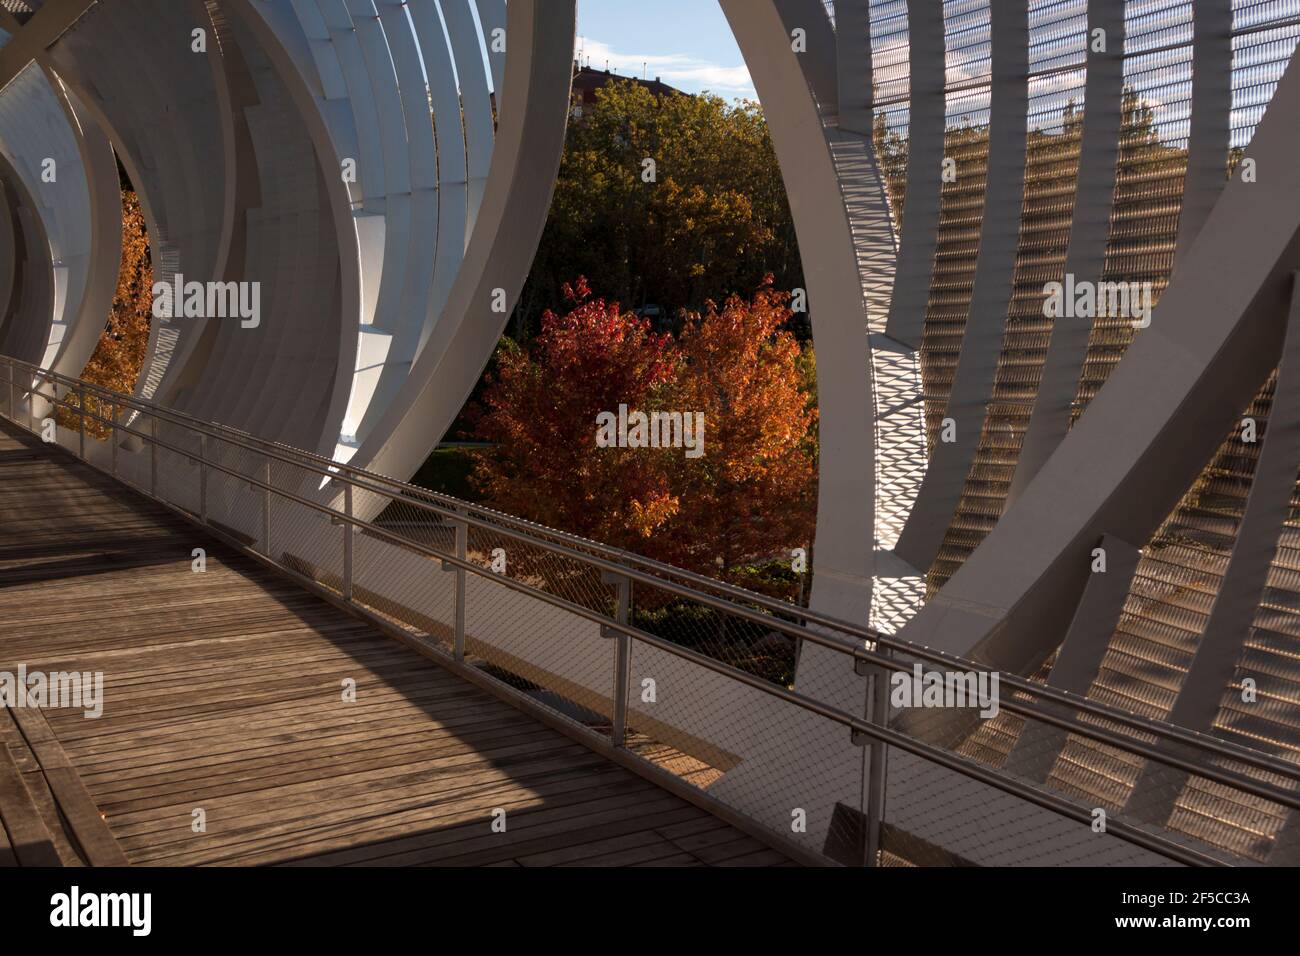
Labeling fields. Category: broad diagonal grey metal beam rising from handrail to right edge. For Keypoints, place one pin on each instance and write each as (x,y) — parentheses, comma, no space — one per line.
(1214,339)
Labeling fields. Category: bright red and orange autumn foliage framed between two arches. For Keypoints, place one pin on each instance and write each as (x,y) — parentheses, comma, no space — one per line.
(747,499)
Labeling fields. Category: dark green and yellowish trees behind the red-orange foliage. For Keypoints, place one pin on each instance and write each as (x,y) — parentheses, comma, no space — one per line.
(713,223)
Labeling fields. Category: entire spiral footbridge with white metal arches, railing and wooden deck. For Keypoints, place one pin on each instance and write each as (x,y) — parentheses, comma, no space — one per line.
(1095,505)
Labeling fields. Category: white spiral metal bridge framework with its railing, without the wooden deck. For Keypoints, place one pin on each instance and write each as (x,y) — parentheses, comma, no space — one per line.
(383,171)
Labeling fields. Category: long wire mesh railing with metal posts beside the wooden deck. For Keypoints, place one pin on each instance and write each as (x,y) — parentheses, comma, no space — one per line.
(697,678)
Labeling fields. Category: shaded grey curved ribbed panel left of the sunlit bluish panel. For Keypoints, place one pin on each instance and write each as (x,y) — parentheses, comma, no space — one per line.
(288,244)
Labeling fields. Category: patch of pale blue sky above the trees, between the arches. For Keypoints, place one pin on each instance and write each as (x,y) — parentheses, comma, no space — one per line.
(687,44)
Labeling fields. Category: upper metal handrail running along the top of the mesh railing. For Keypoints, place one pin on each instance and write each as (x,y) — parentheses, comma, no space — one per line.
(866,648)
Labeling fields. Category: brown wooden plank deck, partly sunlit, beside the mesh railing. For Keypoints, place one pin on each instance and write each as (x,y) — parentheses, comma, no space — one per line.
(224,703)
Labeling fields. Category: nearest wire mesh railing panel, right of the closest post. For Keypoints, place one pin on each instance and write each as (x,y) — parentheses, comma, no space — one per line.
(1108,784)
